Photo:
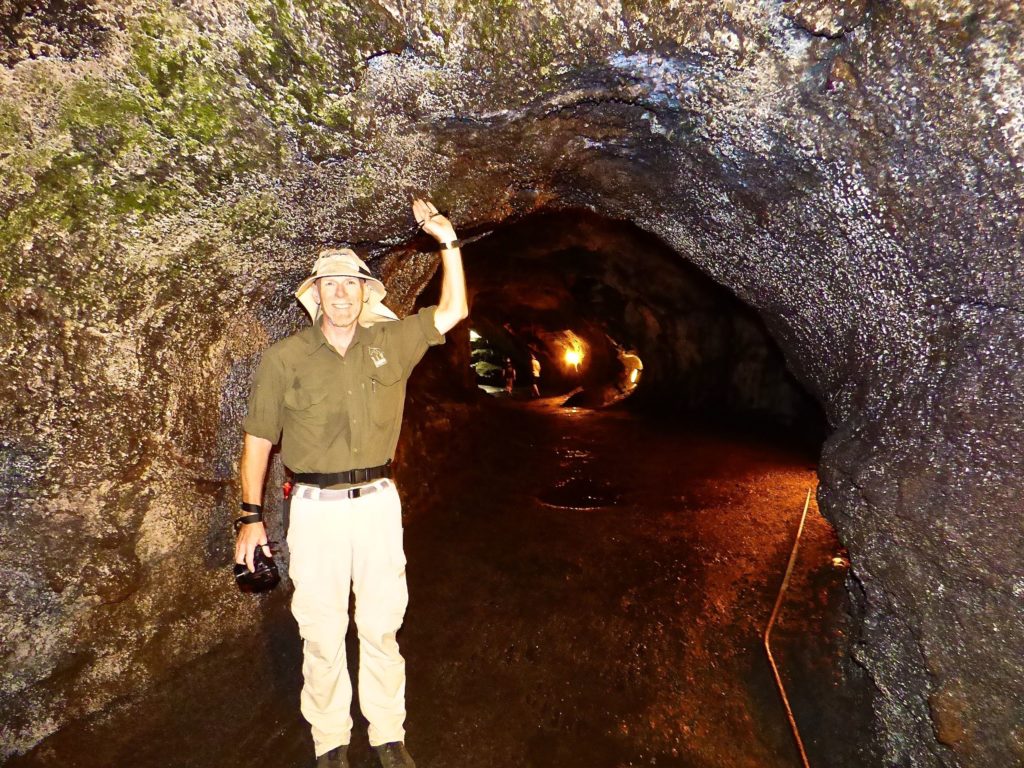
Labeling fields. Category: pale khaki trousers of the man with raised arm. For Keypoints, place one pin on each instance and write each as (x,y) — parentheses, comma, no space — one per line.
(335,543)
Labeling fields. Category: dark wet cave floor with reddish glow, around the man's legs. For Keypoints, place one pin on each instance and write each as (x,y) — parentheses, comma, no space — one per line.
(589,591)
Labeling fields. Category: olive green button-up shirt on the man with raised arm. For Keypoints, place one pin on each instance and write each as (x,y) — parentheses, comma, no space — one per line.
(334,413)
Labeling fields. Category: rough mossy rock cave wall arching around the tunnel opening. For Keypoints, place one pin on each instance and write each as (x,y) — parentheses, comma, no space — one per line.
(851,169)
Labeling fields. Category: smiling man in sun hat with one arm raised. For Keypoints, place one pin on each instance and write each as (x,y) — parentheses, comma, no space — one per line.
(333,395)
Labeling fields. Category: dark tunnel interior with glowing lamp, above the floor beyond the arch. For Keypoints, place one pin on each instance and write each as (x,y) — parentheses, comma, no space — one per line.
(559,280)
